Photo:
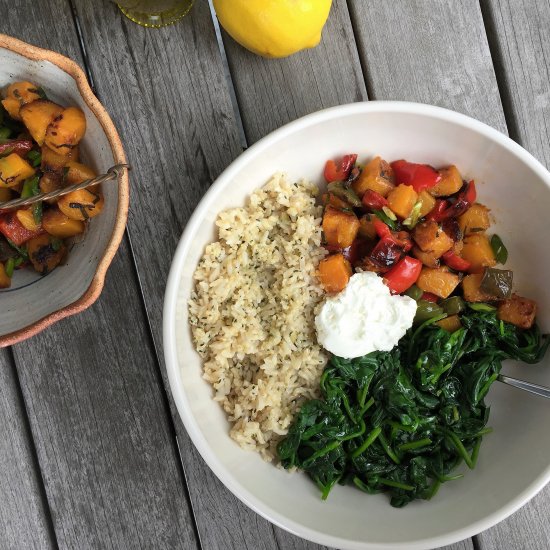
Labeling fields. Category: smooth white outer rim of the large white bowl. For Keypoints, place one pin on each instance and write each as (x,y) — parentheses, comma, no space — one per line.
(169,326)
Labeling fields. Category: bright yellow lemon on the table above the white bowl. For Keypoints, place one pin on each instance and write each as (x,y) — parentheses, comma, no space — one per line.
(274,28)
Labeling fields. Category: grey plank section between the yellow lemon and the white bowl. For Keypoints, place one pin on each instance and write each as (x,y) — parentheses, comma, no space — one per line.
(272,92)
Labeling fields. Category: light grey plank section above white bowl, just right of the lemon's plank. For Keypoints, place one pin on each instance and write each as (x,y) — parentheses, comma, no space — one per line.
(429,51)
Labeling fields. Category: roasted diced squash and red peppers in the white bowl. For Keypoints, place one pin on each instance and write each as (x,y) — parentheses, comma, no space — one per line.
(423,231)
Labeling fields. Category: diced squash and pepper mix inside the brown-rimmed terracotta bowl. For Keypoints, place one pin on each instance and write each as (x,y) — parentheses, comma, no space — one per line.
(39,153)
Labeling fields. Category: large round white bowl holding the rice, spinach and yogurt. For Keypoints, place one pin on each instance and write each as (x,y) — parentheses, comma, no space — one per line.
(514,462)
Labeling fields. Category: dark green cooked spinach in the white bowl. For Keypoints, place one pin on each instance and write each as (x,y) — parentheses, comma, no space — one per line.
(400,422)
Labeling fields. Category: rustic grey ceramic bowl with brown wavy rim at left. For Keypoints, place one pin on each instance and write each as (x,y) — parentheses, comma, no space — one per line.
(33,303)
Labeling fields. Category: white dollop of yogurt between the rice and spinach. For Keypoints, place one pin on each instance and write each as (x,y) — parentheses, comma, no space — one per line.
(364,317)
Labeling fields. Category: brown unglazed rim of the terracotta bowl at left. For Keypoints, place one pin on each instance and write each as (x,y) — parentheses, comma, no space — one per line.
(93,291)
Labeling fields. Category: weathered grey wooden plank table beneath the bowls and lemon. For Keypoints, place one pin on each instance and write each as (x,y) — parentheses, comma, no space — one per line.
(92,451)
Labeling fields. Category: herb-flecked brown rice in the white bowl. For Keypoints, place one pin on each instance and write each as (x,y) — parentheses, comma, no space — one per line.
(253,307)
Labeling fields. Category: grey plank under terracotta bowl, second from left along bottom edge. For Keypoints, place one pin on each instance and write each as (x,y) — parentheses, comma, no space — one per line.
(93,393)
